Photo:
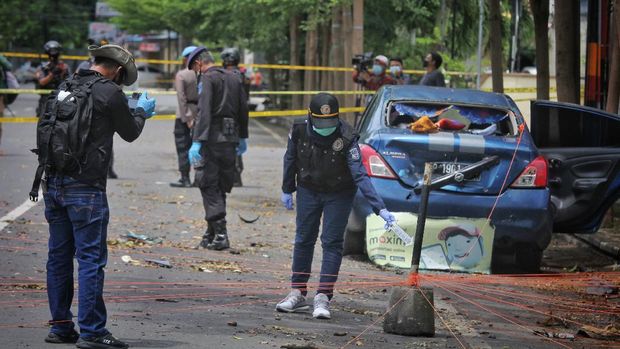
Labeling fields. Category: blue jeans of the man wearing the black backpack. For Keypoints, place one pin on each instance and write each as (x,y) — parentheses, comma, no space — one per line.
(78,218)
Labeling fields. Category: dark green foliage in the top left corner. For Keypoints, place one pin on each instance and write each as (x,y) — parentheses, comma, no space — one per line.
(28,24)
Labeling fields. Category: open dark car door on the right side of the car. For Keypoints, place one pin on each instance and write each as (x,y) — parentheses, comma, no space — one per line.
(582,147)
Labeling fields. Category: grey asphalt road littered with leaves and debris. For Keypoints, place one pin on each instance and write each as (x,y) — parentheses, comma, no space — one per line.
(214,299)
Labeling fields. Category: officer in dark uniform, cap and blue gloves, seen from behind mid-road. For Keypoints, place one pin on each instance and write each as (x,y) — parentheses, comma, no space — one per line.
(219,135)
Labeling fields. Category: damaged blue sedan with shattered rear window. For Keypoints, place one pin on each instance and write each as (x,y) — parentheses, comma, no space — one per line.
(467,127)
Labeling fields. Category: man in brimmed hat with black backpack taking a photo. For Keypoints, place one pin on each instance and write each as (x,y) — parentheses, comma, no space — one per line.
(74,140)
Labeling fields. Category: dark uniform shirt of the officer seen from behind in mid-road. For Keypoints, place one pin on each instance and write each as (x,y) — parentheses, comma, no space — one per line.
(223,96)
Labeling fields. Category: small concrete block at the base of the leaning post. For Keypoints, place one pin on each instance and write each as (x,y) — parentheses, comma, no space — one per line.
(413,315)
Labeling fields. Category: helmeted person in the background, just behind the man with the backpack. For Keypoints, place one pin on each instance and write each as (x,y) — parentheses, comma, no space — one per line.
(51,74)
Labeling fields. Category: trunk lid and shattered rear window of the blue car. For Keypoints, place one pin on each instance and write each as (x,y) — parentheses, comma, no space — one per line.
(483,132)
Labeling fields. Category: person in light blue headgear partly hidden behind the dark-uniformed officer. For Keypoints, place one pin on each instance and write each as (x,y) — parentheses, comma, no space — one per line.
(186,86)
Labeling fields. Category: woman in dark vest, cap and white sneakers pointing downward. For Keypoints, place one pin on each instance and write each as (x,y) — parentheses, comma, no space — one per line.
(323,164)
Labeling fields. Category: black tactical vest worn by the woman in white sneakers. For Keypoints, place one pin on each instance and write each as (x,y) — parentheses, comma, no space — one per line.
(323,168)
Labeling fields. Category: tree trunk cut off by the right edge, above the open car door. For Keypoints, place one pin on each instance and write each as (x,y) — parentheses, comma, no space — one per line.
(613,91)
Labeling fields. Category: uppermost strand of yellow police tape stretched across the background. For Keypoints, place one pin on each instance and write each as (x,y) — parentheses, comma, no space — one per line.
(258,65)
